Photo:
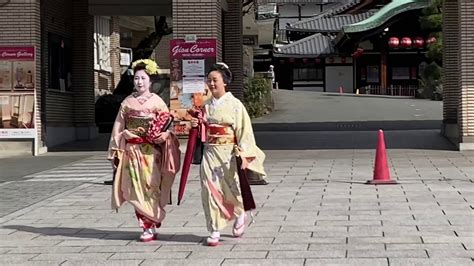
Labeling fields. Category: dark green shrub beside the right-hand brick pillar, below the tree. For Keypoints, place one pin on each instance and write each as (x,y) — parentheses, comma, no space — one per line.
(430,82)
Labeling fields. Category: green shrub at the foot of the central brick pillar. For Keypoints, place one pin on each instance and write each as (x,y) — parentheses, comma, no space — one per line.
(257,91)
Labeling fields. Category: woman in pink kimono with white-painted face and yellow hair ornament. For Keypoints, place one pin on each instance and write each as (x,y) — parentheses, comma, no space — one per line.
(147,166)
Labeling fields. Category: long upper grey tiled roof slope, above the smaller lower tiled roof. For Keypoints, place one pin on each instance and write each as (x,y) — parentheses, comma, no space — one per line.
(329,23)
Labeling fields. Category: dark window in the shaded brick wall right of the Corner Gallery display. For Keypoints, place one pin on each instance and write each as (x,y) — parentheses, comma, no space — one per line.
(60,62)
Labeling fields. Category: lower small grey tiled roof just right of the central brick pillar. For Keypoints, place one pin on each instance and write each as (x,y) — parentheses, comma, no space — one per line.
(314,45)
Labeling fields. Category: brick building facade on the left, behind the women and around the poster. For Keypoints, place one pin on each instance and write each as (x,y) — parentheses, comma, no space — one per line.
(78,53)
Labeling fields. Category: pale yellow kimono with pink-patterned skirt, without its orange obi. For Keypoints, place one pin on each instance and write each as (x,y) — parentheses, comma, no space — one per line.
(221,196)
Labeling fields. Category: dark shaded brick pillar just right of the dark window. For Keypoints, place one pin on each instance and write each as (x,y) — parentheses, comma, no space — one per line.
(82,74)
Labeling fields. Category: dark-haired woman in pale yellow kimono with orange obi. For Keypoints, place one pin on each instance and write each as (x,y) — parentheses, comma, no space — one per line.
(229,133)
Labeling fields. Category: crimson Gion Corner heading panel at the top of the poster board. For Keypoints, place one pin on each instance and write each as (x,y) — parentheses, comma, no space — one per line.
(202,48)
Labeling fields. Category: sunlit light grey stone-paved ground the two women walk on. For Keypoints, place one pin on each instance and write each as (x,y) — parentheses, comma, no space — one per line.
(315,211)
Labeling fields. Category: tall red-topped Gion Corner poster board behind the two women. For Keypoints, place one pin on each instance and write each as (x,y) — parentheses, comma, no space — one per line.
(190,62)
